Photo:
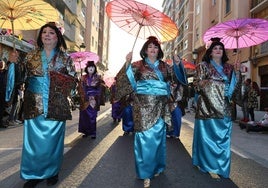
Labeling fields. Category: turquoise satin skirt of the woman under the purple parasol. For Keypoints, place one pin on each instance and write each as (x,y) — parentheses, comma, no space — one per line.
(212,146)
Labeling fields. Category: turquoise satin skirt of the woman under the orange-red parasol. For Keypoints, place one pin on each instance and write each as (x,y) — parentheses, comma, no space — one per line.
(150,151)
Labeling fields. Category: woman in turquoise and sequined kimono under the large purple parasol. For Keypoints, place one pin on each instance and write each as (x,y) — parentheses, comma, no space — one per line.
(216,82)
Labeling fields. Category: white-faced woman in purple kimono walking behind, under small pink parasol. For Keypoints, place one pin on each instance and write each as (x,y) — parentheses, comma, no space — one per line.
(91,93)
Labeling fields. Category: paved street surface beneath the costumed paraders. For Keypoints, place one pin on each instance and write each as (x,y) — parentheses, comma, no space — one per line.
(108,161)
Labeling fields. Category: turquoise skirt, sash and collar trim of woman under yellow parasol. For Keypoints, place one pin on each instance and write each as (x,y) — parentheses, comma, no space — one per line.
(43,139)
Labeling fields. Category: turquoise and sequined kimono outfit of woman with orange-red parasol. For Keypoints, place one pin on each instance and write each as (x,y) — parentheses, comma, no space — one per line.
(151,92)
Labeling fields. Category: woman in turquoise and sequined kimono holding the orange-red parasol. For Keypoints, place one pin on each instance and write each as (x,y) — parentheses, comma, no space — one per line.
(149,79)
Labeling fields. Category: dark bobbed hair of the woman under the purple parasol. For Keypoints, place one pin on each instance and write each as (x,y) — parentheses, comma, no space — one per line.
(215,42)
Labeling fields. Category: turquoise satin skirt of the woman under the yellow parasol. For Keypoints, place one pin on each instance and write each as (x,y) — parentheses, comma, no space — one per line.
(43,147)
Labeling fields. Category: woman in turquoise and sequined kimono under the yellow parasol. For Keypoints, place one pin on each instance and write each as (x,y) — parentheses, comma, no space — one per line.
(50,79)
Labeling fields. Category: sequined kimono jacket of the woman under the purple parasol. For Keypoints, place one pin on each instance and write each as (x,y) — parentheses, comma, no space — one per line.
(210,87)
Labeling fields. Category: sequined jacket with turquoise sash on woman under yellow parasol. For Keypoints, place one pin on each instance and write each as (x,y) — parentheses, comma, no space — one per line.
(52,86)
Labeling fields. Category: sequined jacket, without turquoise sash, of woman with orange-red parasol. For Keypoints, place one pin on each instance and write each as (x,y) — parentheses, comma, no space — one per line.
(147,109)
